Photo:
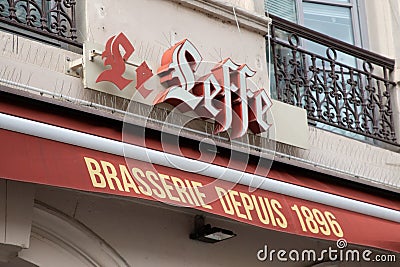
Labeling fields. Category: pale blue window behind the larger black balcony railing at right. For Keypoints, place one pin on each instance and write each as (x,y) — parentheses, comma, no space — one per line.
(335,89)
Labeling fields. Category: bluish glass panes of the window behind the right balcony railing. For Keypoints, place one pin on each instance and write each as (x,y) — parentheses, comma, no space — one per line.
(335,19)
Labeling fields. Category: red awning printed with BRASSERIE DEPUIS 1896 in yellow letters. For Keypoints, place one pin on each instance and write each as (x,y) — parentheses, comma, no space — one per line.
(26,156)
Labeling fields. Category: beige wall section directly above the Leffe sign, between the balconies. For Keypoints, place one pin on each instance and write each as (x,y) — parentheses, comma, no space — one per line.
(155,26)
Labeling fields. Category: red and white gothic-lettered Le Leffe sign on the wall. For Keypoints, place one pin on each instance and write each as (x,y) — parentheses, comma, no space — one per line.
(223,94)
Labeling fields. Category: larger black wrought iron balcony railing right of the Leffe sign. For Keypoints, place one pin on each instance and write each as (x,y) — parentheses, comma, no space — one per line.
(340,85)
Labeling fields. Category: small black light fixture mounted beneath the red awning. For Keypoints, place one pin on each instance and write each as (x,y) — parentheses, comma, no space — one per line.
(206,233)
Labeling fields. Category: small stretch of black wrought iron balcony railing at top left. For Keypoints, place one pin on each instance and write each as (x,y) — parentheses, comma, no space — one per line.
(51,18)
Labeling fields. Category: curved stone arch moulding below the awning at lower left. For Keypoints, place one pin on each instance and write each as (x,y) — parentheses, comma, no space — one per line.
(59,240)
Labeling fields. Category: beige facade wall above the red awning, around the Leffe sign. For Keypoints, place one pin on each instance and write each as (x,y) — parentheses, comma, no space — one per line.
(34,64)
